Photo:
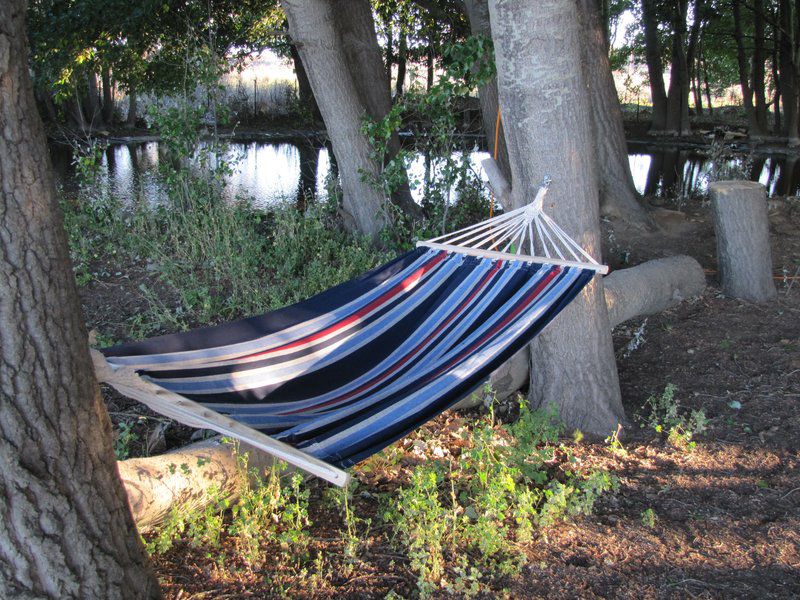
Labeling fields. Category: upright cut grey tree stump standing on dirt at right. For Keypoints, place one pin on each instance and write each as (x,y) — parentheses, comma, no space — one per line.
(743,251)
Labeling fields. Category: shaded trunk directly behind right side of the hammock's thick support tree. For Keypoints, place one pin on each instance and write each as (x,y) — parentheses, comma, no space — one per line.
(618,197)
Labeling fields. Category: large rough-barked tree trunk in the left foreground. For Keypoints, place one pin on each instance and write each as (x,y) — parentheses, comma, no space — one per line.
(66,530)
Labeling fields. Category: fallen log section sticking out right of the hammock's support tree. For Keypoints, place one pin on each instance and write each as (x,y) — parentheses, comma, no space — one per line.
(652,287)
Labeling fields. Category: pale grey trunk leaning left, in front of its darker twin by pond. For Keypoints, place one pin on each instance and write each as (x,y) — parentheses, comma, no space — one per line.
(312,25)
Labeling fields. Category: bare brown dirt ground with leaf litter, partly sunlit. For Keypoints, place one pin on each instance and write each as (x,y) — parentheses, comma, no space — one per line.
(726,516)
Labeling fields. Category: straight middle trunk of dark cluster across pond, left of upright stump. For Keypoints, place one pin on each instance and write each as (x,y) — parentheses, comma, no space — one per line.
(678,94)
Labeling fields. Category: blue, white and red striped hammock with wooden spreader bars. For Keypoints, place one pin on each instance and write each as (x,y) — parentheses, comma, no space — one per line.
(340,376)
